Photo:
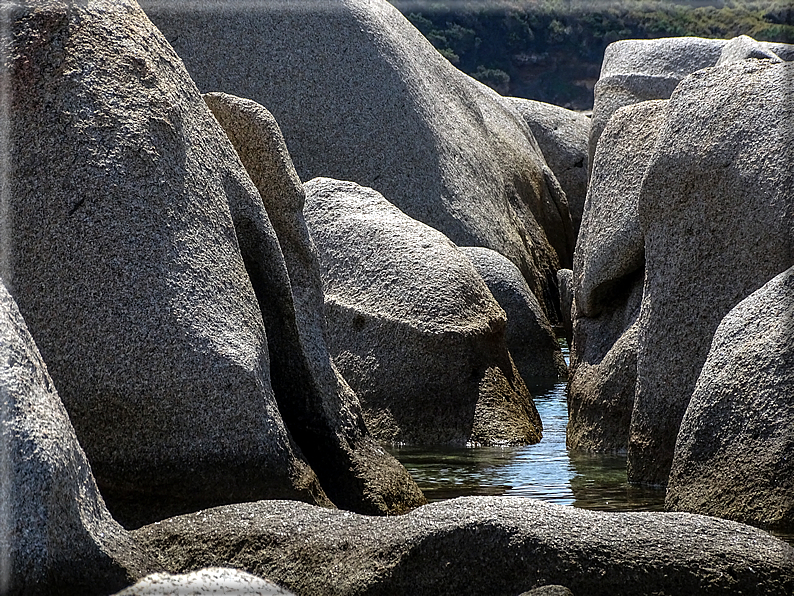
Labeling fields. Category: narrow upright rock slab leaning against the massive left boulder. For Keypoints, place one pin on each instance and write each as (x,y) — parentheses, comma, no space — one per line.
(321,411)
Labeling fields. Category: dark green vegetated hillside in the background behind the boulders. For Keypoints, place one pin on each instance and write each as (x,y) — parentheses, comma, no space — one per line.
(551,50)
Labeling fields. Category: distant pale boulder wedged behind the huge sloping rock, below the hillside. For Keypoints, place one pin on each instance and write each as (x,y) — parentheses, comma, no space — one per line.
(563,137)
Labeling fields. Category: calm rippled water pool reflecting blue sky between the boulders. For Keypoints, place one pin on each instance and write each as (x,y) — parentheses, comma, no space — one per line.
(544,471)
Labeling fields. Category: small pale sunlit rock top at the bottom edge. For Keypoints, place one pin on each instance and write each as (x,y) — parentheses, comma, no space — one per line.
(211,580)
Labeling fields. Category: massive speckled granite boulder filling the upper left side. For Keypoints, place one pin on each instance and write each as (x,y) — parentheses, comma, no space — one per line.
(142,309)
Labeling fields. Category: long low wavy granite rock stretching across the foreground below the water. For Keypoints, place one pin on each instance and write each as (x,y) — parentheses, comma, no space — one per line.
(479,546)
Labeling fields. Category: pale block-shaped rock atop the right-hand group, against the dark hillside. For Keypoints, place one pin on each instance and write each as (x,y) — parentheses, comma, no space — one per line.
(635,70)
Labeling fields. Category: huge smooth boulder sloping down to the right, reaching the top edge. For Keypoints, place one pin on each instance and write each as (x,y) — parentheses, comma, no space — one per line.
(361,95)
